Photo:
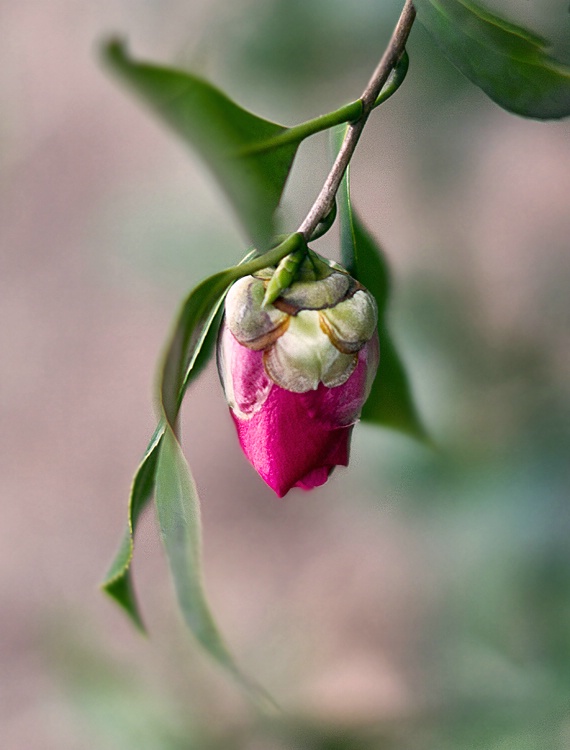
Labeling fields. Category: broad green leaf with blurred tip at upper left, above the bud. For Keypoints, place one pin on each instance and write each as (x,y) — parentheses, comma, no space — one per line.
(222,132)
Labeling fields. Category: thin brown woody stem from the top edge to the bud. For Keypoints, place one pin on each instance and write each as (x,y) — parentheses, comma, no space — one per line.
(394,51)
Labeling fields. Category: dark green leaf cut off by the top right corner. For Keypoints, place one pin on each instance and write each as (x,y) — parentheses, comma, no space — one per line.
(509,63)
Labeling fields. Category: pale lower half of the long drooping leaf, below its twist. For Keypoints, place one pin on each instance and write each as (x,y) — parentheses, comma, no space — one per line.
(178,509)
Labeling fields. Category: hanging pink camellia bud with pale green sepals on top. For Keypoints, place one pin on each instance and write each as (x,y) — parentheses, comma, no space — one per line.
(297,372)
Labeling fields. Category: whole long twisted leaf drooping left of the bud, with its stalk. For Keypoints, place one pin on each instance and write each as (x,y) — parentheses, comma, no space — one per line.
(177,502)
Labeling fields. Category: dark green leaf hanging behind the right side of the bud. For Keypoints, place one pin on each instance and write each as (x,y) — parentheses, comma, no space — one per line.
(390,403)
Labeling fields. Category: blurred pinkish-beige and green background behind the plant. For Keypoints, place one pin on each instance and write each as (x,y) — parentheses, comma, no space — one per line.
(421,599)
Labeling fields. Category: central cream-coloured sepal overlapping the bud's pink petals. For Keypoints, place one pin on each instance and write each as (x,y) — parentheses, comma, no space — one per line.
(304,356)
